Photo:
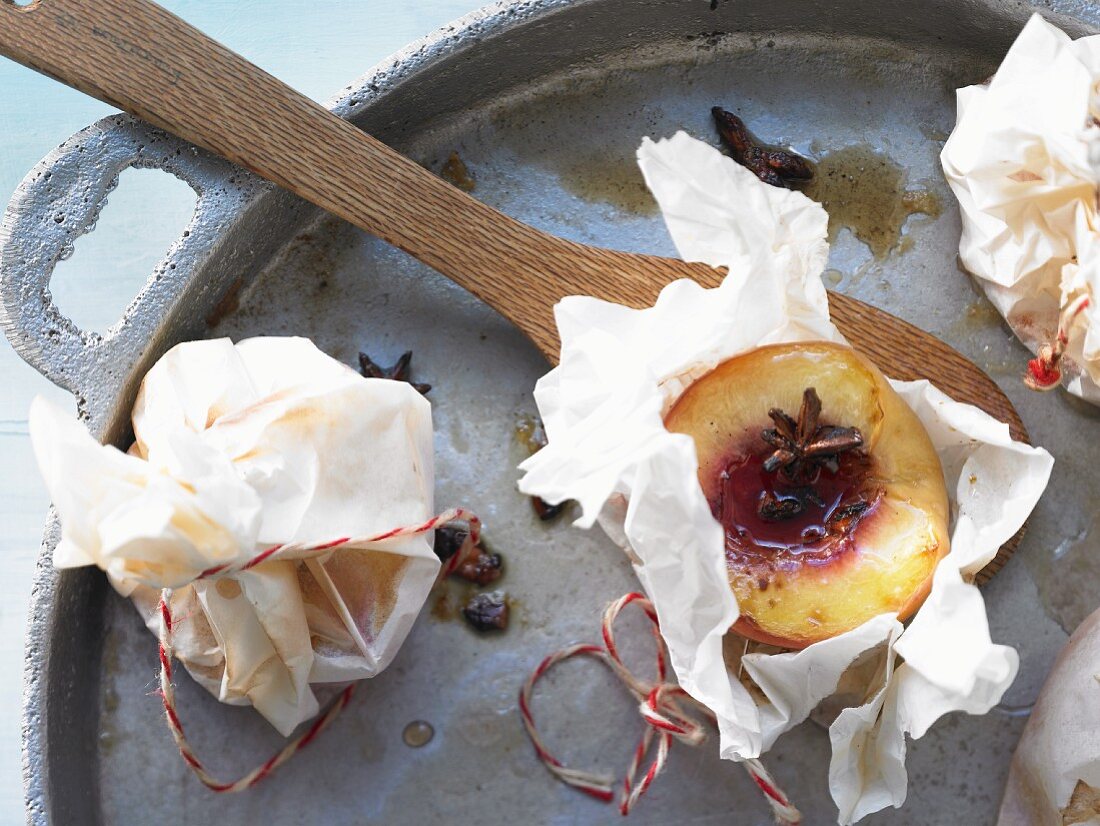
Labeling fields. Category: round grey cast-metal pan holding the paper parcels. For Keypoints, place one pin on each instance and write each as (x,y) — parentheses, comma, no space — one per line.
(546,103)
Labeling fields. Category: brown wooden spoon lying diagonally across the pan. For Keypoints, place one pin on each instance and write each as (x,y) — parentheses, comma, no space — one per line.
(141,59)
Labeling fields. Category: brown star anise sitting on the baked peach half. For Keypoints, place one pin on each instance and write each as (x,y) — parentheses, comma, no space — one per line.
(805,446)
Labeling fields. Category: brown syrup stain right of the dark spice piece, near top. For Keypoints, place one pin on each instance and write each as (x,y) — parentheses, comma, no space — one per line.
(866,192)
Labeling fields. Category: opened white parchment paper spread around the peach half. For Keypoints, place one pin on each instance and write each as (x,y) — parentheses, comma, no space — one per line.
(622,370)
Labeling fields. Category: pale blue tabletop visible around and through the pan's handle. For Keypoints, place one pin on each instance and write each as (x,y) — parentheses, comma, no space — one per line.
(316,48)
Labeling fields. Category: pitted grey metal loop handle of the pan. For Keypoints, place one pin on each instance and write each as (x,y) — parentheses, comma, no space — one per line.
(59,202)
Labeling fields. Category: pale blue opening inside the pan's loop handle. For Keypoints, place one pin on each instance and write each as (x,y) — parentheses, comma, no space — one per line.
(106,269)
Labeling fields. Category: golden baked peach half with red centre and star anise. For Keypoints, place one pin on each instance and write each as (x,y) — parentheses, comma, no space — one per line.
(829,489)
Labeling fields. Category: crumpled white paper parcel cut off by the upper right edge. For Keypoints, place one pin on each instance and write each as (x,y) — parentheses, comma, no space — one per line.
(1025,163)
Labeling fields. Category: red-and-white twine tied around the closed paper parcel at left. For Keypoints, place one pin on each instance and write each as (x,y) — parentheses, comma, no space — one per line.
(301,552)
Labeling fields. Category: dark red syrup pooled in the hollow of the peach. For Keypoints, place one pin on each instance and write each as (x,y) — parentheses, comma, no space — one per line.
(832,504)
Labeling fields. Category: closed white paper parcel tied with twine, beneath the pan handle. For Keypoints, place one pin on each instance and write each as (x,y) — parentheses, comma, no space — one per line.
(240,448)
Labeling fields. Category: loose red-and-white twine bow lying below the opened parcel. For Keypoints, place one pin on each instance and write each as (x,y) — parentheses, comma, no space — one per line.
(665,709)
